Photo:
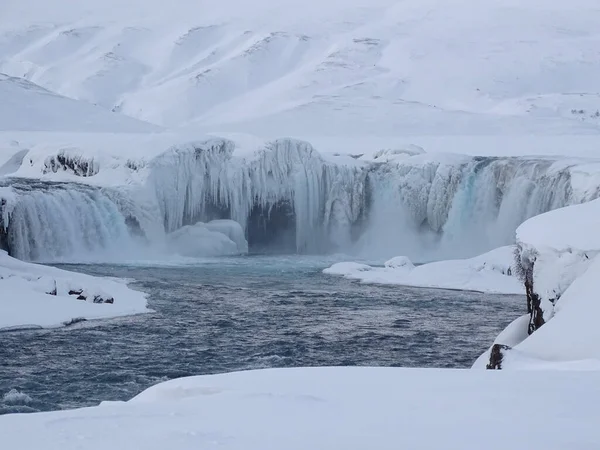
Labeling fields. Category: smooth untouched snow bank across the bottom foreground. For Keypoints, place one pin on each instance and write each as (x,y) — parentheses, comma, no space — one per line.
(328,408)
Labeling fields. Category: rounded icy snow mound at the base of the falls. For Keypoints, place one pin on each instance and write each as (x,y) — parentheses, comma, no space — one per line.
(215,238)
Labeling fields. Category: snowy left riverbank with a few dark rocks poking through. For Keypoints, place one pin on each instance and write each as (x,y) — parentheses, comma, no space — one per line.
(34,296)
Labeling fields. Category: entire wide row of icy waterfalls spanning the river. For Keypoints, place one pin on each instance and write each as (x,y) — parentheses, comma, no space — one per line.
(285,196)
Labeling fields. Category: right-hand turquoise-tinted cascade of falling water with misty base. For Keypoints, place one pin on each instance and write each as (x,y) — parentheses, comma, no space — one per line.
(473,205)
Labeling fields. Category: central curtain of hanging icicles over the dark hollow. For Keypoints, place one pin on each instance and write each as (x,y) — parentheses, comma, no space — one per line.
(203,182)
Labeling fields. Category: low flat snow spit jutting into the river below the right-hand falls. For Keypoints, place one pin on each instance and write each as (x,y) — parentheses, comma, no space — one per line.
(491,272)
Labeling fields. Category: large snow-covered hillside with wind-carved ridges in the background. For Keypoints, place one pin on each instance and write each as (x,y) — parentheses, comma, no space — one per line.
(306,68)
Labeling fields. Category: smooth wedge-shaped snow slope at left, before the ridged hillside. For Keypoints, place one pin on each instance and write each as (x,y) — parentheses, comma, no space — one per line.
(25,106)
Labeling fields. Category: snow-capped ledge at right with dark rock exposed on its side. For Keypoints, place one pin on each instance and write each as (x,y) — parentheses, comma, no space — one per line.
(558,256)
